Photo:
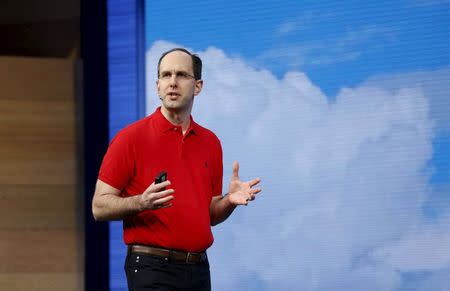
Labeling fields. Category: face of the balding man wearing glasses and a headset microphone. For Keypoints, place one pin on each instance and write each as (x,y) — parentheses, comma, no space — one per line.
(176,85)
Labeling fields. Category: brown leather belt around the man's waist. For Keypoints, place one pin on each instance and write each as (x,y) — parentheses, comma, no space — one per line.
(177,256)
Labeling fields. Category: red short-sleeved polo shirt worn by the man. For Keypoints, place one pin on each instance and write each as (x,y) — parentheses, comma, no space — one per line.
(193,163)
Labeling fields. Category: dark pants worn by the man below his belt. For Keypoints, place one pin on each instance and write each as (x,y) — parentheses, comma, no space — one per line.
(146,272)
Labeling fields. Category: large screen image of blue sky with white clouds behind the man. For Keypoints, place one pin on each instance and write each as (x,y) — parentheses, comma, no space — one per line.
(343,110)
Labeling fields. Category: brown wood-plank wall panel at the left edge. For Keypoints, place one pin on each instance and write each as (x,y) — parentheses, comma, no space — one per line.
(41,236)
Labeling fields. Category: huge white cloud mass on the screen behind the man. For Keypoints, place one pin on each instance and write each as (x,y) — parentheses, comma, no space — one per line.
(343,183)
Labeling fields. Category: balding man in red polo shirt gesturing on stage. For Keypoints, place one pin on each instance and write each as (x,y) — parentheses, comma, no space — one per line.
(167,225)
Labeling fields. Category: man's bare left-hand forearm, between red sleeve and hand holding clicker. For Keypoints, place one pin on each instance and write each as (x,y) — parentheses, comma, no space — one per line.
(112,207)
